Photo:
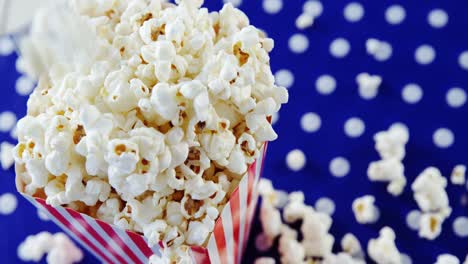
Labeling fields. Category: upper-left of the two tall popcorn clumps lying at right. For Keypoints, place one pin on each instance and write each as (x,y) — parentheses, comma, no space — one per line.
(391,147)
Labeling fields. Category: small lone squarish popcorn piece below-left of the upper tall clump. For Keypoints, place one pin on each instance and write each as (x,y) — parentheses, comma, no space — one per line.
(365,210)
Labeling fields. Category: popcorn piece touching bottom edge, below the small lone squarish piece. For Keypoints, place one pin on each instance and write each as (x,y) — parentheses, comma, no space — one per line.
(383,249)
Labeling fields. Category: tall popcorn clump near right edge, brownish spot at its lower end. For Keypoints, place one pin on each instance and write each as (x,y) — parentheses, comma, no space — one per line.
(431,197)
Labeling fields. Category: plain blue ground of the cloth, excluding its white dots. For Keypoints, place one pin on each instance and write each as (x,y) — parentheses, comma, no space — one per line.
(422,119)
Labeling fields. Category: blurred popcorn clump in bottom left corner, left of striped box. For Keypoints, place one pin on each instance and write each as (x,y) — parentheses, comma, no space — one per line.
(60,249)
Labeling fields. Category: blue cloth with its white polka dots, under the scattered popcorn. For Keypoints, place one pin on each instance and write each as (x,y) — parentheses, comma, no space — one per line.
(353,69)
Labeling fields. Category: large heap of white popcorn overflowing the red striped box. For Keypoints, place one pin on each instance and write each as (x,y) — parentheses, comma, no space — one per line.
(154,133)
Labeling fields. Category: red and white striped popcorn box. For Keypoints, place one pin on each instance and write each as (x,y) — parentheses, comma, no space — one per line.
(113,245)
